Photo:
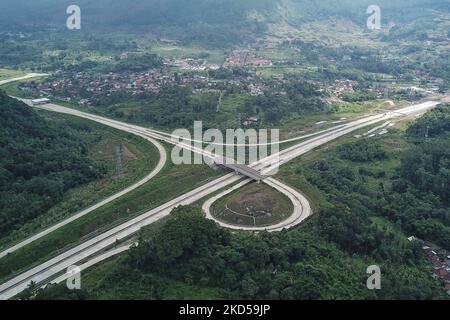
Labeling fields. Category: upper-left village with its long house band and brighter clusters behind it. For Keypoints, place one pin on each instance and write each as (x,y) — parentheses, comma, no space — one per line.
(82,86)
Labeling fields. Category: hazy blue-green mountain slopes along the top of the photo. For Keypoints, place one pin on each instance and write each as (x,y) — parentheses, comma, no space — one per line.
(248,15)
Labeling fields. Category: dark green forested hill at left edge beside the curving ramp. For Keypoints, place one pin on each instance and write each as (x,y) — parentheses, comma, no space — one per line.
(39,161)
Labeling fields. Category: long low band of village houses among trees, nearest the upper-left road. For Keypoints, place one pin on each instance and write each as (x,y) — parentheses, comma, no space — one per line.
(67,86)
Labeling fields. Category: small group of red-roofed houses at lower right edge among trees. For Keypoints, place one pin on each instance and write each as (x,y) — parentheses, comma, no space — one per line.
(440,259)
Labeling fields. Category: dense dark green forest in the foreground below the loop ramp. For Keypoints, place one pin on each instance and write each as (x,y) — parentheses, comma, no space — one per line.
(195,255)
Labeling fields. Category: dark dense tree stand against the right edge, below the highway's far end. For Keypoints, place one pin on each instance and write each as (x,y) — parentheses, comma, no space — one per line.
(420,201)
